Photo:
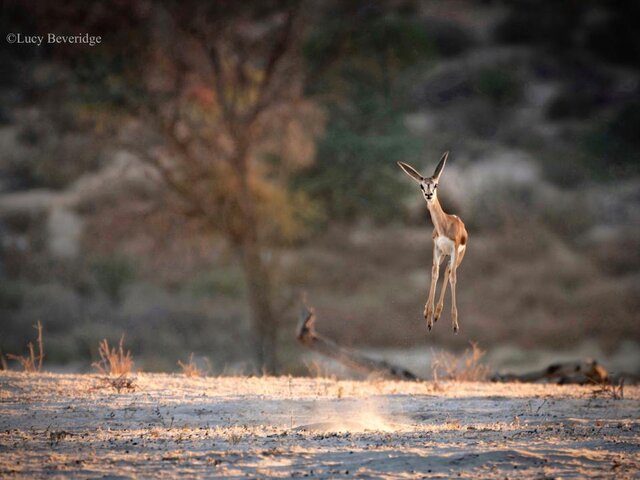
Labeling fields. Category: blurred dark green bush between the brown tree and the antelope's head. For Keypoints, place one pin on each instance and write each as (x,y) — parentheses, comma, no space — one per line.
(361,56)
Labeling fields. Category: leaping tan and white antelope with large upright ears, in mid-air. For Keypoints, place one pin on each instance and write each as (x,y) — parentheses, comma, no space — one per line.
(449,239)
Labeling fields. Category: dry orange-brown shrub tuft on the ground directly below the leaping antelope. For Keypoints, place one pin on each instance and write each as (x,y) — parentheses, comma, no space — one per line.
(468,367)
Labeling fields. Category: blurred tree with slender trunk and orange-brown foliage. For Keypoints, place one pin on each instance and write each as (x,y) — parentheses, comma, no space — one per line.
(226,100)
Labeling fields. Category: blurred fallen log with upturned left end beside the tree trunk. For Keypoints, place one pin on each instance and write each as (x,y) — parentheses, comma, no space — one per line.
(307,335)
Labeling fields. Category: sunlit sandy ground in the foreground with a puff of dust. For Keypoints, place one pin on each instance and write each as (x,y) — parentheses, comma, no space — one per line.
(59,425)
